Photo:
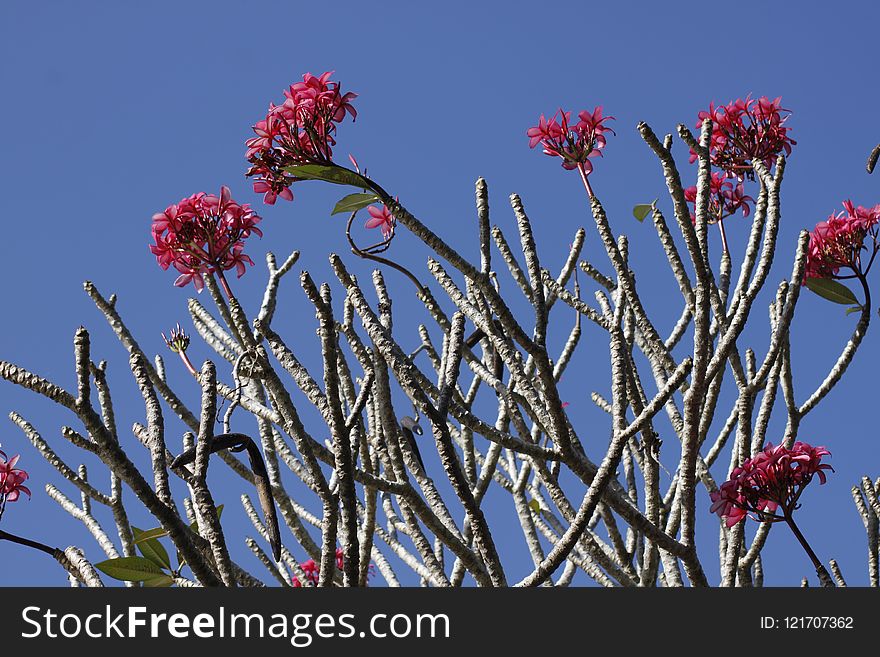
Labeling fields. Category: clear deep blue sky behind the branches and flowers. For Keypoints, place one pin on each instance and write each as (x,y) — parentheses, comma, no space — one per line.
(112,111)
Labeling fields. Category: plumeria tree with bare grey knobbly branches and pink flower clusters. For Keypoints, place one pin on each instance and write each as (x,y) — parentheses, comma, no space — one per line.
(482,387)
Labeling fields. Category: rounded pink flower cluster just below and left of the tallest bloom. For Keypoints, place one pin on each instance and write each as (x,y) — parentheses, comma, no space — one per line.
(203,234)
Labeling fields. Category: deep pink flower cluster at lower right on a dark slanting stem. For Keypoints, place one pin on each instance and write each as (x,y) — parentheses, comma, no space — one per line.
(773,478)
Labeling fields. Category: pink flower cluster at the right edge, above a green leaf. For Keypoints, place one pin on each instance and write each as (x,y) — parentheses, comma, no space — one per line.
(839,241)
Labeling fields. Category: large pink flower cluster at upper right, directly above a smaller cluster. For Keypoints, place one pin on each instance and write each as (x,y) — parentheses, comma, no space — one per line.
(746,130)
